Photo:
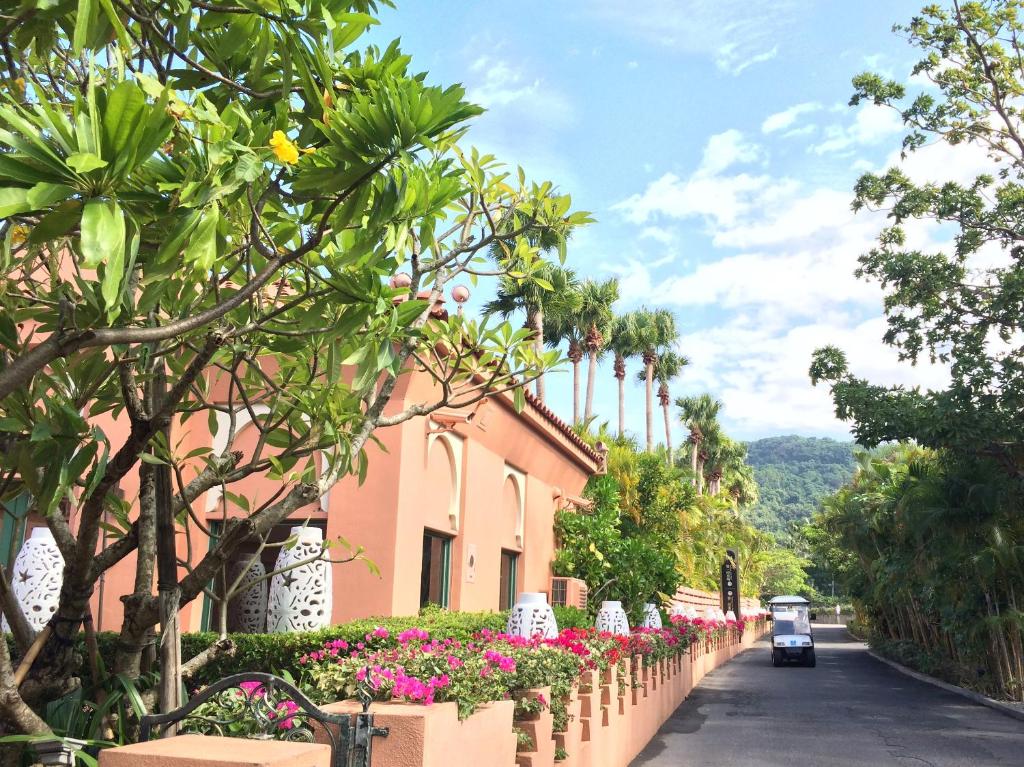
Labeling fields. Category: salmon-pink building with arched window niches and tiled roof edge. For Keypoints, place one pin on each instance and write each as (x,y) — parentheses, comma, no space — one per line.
(457,510)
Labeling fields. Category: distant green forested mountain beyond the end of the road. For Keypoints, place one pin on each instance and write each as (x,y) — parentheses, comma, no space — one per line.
(794,474)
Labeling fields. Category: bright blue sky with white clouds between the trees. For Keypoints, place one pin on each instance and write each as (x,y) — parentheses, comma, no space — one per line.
(713,142)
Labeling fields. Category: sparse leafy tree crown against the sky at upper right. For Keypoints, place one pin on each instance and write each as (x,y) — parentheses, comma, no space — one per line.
(962,306)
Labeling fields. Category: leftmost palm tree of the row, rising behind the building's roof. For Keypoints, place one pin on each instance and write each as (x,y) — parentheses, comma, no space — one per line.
(533,297)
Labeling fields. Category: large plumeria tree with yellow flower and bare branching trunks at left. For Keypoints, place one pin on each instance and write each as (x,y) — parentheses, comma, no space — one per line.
(216,214)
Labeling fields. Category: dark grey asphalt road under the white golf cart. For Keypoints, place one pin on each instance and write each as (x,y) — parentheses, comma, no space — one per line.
(851,711)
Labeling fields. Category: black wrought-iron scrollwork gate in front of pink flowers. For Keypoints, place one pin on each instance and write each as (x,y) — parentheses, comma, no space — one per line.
(268,708)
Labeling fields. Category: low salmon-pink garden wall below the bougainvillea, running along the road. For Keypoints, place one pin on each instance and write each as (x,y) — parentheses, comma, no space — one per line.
(612,715)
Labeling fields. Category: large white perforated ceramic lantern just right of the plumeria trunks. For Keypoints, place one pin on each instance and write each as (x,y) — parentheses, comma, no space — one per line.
(301,599)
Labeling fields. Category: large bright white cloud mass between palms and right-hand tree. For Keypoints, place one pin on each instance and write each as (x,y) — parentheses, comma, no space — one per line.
(791,287)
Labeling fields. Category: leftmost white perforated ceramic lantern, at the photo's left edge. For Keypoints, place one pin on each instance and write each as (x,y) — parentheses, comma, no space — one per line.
(36,578)
